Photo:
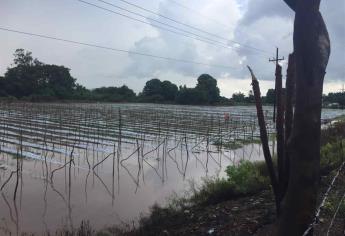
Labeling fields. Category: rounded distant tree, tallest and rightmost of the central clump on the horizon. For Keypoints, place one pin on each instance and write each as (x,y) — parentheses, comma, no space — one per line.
(208,85)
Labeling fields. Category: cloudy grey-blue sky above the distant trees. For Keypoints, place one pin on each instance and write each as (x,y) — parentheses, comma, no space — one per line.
(226,33)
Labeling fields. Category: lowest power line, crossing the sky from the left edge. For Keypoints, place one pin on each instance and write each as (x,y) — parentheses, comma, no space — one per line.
(117,50)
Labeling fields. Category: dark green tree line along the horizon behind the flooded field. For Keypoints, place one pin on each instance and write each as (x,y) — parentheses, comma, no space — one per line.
(32,80)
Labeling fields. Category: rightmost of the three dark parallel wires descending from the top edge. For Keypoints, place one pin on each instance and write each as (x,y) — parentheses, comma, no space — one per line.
(182,23)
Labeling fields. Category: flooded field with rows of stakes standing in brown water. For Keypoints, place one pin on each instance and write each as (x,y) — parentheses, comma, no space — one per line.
(108,163)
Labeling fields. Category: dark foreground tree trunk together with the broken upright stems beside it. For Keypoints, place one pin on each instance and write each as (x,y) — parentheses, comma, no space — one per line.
(296,200)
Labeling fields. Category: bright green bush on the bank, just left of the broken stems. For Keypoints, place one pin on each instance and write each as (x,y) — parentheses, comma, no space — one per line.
(246,178)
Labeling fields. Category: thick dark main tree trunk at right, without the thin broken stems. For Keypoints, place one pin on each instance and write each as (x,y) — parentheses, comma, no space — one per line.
(312,49)
